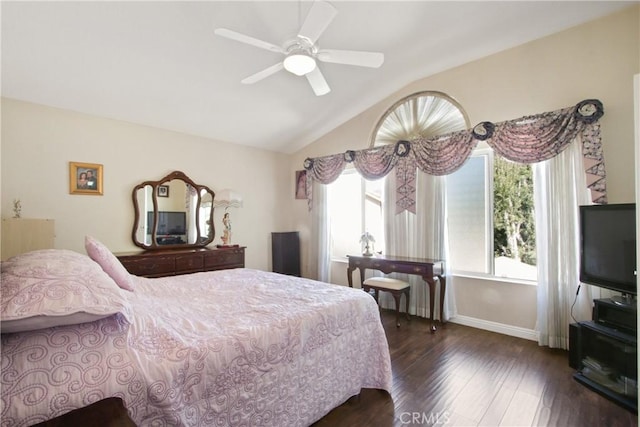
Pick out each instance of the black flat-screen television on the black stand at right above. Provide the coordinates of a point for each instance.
(608, 247)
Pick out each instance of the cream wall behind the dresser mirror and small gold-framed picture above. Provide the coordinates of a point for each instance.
(38, 142)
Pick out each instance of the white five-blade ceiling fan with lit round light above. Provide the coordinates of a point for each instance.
(302, 52)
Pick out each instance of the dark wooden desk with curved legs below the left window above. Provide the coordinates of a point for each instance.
(423, 267)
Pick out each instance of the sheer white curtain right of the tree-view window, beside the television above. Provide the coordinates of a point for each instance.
(559, 188)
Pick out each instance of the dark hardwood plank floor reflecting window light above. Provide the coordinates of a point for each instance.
(462, 376)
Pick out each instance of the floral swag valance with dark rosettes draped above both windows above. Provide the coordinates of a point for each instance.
(529, 139)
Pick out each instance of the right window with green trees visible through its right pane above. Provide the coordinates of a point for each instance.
(475, 234)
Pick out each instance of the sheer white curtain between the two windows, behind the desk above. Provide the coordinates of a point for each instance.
(422, 235)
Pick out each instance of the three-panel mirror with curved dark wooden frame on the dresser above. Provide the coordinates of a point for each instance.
(173, 212)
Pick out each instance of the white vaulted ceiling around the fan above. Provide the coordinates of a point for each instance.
(160, 63)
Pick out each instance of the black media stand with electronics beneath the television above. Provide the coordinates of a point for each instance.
(606, 357)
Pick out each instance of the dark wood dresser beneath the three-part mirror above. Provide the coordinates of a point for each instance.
(170, 262)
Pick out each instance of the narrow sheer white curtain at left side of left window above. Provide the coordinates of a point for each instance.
(320, 254)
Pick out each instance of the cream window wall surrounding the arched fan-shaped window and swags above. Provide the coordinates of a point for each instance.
(594, 60)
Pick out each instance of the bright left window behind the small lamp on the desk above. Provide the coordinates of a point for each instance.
(355, 206)
